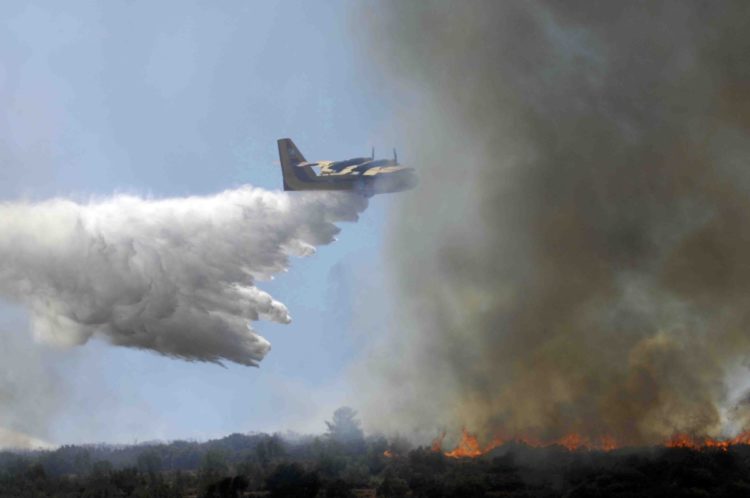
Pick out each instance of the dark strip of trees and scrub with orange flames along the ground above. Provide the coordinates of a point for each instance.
(327, 466)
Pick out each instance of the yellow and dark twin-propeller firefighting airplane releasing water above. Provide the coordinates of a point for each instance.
(365, 175)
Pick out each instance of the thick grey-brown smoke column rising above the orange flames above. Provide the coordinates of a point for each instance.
(577, 257)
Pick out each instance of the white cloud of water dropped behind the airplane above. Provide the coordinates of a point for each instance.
(175, 276)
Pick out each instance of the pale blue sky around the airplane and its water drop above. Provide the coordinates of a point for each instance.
(177, 98)
